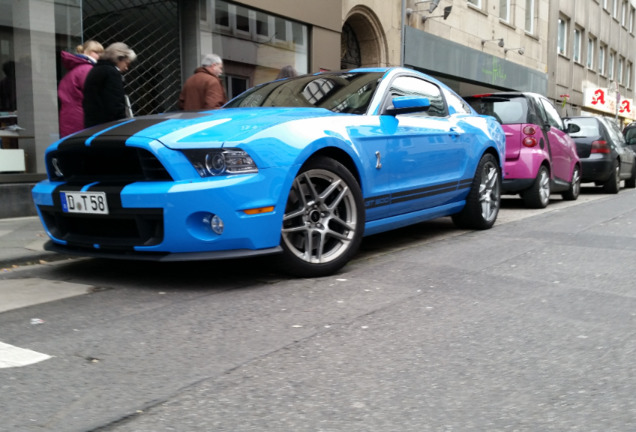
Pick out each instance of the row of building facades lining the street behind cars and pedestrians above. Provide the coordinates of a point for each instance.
(580, 53)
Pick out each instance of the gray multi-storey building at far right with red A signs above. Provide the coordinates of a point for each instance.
(593, 47)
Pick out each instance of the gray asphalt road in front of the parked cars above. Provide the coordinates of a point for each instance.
(528, 326)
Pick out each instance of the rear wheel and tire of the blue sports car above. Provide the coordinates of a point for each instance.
(484, 199)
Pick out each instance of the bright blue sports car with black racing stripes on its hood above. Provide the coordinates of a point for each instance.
(302, 167)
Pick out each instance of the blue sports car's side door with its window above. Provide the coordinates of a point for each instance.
(422, 155)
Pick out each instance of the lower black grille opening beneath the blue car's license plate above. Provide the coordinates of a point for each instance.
(121, 230)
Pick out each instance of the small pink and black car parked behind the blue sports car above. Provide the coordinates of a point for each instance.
(541, 157)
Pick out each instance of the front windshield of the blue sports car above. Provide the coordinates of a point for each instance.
(343, 92)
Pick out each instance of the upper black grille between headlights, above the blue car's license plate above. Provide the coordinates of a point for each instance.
(79, 164)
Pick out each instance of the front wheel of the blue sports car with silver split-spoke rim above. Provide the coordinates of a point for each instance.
(324, 219)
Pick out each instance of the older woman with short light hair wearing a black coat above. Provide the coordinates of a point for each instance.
(104, 96)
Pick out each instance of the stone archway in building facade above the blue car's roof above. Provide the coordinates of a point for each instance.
(363, 42)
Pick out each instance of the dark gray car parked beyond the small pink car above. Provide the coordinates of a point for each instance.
(605, 156)
